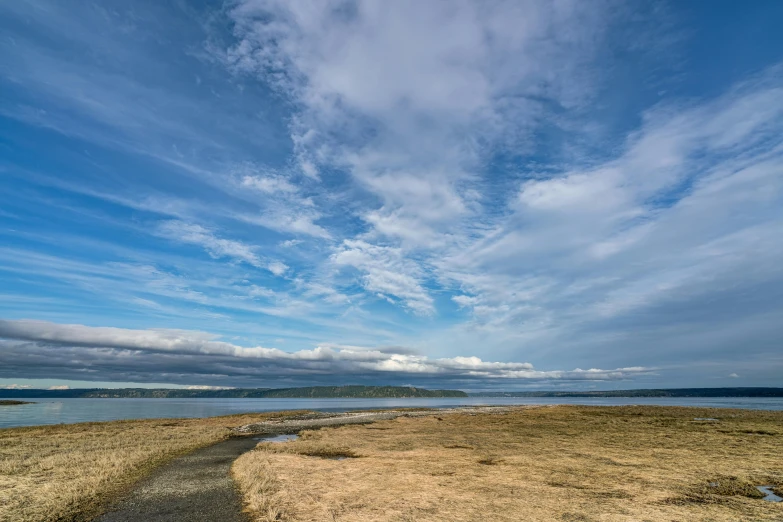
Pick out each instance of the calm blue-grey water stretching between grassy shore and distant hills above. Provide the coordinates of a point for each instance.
(56, 411)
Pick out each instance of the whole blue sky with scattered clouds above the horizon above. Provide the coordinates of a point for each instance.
(449, 194)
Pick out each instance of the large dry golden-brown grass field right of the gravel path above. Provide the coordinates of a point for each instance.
(562, 463)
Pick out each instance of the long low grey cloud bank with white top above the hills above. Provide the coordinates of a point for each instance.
(34, 348)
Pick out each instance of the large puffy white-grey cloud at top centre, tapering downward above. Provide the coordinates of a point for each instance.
(408, 95)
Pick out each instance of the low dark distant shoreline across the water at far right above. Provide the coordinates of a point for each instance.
(673, 392)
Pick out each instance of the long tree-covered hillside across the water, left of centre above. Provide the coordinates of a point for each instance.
(314, 392)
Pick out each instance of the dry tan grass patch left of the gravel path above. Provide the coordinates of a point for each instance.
(67, 472)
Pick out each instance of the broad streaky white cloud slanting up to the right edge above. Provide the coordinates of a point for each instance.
(670, 213)
